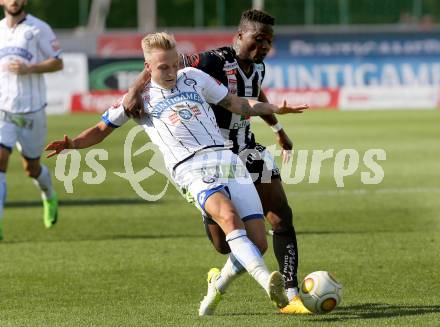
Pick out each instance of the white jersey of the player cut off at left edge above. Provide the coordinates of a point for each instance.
(30, 41)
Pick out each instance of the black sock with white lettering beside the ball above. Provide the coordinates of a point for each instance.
(286, 252)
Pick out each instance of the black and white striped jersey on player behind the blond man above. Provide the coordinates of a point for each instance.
(222, 64)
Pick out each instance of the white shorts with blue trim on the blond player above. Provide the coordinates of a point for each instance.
(211, 171)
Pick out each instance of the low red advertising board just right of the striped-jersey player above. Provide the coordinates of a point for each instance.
(320, 98)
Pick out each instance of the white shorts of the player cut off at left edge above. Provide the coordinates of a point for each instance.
(27, 131)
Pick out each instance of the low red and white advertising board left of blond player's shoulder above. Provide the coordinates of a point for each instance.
(95, 101)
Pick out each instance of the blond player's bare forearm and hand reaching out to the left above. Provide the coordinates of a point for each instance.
(85, 139)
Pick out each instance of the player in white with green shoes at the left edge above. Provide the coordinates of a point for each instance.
(28, 48)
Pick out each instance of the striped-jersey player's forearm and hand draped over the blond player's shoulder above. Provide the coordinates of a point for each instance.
(132, 102)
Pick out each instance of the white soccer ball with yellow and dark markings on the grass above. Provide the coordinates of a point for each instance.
(320, 292)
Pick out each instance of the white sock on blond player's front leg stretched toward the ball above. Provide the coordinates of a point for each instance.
(249, 256)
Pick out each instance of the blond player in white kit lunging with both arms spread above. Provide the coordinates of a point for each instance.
(180, 121)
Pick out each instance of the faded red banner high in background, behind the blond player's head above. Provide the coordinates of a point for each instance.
(129, 45)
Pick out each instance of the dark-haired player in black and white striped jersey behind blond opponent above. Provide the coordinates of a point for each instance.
(241, 69)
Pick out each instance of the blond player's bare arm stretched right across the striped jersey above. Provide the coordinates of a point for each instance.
(245, 107)
